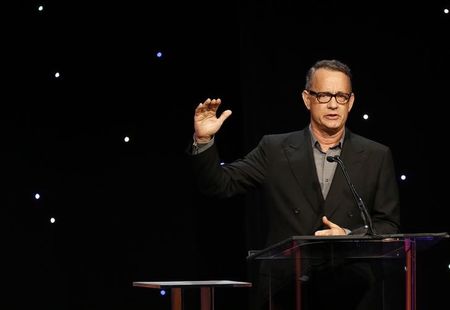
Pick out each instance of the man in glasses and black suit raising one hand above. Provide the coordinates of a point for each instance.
(304, 193)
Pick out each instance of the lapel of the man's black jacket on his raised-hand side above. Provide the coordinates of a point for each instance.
(299, 154)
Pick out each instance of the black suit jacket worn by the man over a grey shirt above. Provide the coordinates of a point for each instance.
(282, 167)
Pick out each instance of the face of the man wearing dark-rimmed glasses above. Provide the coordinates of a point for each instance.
(331, 116)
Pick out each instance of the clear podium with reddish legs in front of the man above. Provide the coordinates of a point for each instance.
(301, 249)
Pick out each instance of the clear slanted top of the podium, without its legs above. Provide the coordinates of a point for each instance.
(351, 246)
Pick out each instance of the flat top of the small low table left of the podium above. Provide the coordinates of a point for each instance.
(209, 283)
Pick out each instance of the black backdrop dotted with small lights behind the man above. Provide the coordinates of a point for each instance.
(128, 211)
